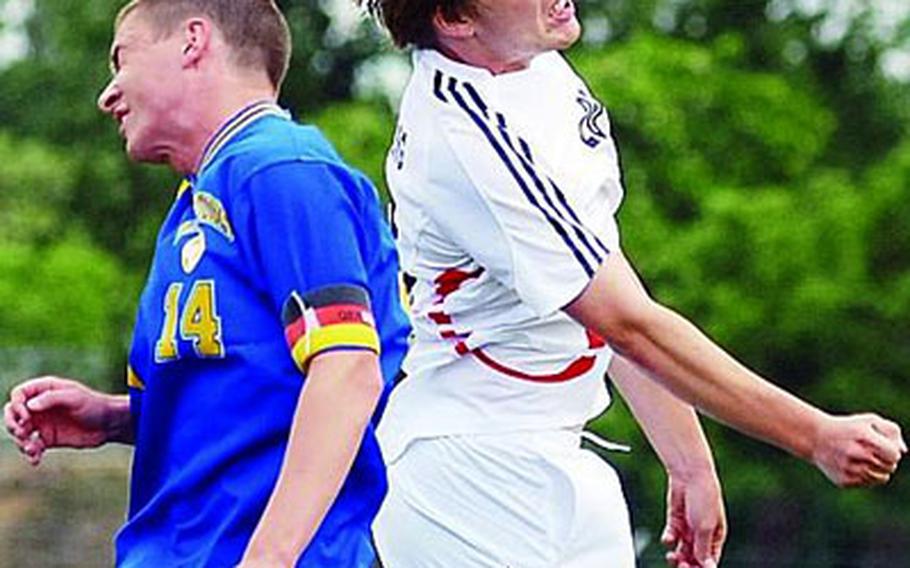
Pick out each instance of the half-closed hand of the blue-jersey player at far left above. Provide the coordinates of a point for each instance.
(51, 412)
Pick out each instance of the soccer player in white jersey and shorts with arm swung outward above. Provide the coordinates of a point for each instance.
(506, 183)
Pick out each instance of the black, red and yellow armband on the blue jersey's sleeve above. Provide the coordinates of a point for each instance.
(330, 318)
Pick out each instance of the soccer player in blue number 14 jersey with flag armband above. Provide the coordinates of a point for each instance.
(269, 328)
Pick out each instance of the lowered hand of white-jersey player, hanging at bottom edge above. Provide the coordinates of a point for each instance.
(696, 523)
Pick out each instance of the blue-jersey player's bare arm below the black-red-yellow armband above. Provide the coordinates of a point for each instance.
(335, 406)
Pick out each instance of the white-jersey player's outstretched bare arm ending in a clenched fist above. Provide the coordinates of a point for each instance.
(854, 450)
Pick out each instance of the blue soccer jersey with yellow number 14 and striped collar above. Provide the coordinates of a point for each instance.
(273, 225)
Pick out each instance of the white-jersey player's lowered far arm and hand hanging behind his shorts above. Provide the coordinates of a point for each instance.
(696, 523)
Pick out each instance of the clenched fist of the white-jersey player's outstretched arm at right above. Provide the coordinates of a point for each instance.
(858, 450)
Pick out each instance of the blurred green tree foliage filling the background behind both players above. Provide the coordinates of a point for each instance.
(767, 165)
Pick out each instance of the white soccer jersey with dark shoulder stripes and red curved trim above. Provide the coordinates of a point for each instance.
(505, 190)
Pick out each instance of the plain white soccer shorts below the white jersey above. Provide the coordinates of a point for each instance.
(520, 500)
